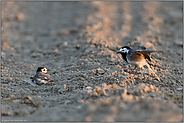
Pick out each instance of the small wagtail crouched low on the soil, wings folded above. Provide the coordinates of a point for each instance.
(41, 77)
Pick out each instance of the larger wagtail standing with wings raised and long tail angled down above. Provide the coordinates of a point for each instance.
(138, 58)
